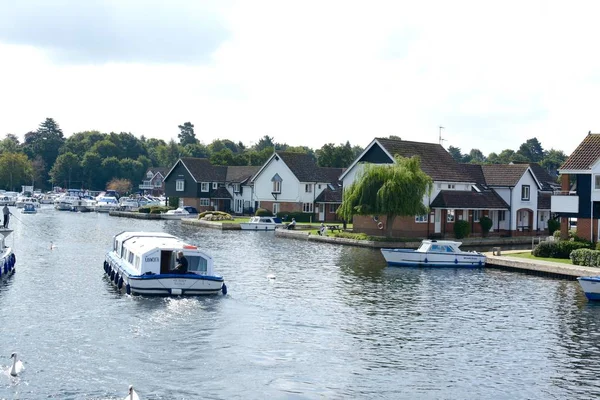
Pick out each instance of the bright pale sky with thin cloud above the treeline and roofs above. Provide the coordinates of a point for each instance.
(492, 74)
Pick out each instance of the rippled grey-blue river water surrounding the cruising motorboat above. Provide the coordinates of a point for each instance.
(334, 323)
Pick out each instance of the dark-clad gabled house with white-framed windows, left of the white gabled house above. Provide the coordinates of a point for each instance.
(198, 183)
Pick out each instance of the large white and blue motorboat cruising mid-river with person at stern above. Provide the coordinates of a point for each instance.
(142, 263)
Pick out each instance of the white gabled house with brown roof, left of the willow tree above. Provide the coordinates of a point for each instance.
(292, 182)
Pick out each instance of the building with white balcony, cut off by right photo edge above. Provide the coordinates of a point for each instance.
(579, 196)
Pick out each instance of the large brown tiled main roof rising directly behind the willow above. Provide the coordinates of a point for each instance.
(435, 160)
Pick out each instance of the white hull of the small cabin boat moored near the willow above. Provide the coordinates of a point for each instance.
(412, 258)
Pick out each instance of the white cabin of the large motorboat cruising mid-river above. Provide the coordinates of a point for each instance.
(149, 253)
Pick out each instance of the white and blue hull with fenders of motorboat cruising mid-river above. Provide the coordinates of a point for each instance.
(162, 284)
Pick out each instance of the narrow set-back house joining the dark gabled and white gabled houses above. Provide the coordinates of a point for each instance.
(238, 183)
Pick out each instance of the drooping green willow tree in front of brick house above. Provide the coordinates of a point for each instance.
(389, 190)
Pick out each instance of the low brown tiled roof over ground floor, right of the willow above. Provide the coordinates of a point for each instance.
(470, 200)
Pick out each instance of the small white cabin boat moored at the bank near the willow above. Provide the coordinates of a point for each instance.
(434, 253)
